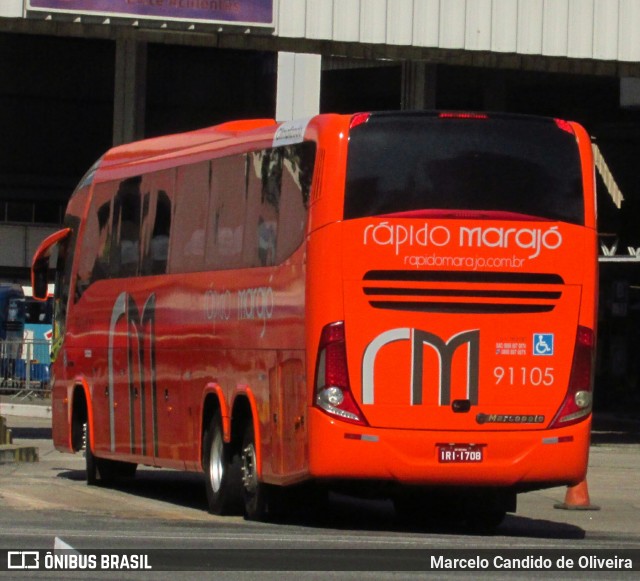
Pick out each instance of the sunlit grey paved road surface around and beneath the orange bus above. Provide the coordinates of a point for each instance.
(165, 510)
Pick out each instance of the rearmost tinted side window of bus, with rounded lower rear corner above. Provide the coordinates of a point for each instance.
(258, 212)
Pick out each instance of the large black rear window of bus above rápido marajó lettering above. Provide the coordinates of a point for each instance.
(403, 163)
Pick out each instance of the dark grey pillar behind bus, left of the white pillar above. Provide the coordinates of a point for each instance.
(130, 91)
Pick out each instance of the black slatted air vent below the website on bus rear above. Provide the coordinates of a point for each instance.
(462, 292)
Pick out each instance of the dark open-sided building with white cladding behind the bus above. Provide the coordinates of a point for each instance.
(77, 76)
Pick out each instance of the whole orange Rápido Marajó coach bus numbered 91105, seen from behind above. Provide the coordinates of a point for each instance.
(399, 303)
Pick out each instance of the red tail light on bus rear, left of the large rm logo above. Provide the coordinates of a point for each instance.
(332, 388)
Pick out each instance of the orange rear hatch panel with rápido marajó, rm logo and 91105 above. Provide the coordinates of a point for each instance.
(421, 337)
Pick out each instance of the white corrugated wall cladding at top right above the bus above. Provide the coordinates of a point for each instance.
(587, 29)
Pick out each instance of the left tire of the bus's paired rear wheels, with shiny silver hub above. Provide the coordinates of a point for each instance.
(222, 469)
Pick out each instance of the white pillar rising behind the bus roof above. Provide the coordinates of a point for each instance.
(298, 92)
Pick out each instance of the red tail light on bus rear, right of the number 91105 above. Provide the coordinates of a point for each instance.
(577, 403)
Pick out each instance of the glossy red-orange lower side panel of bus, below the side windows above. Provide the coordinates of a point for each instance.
(241, 334)
